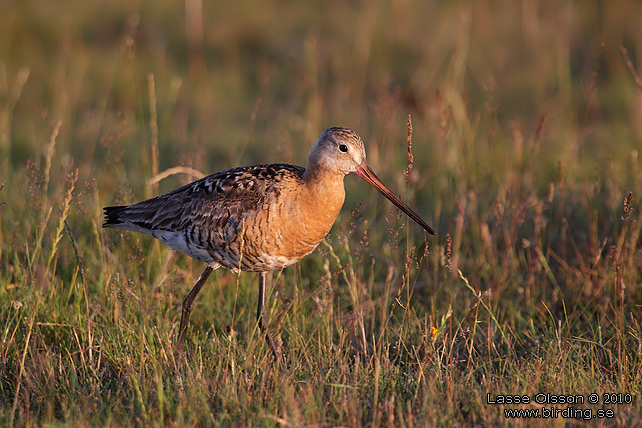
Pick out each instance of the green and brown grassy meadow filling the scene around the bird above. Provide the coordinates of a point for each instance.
(525, 157)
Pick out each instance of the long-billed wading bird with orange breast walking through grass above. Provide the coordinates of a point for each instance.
(256, 218)
